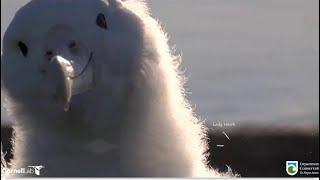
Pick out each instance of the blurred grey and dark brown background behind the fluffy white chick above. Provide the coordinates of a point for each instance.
(253, 70)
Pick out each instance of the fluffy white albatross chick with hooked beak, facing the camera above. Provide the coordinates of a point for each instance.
(124, 113)
